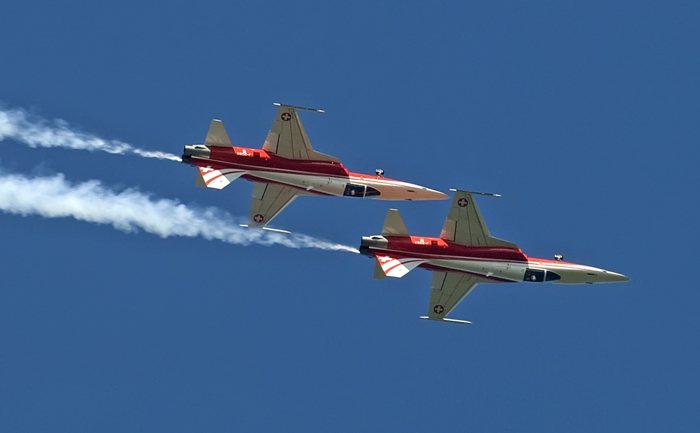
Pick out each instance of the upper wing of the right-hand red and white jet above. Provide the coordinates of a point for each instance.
(465, 225)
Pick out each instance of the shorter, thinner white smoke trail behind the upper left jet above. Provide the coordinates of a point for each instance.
(16, 124)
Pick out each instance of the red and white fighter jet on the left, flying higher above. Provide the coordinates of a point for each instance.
(286, 167)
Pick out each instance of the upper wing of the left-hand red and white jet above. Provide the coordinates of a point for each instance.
(288, 139)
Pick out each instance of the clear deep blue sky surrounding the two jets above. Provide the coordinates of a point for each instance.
(584, 115)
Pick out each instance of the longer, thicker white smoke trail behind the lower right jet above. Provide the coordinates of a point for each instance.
(131, 210)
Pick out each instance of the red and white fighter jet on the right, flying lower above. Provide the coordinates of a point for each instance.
(465, 255)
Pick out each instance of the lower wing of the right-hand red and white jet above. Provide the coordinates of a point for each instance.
(447, 290)
